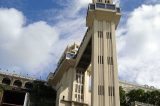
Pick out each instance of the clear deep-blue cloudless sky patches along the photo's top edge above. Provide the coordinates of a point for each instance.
(37, 11)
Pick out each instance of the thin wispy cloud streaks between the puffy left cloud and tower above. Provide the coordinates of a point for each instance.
(69, 22)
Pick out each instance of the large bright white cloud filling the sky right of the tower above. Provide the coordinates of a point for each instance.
(138, 46)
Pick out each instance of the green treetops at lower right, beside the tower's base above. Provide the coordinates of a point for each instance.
(151, 97)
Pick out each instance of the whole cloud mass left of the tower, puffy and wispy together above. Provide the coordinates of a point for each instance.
(31, 48)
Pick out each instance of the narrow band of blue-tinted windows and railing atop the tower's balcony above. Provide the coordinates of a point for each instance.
(103, 6)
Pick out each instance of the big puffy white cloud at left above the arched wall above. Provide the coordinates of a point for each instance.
(26, 47)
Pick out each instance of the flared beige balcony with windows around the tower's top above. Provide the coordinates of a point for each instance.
(102, 11)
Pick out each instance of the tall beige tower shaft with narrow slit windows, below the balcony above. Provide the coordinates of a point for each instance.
(105, 86)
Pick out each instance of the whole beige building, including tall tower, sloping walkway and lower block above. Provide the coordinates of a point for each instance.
(95, 57)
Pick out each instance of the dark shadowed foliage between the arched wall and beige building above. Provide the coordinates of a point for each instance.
(42, 94)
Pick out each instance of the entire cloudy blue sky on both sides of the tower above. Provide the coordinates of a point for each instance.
(34, 33)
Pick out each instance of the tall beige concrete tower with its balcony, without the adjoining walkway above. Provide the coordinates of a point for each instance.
(102, 19)
